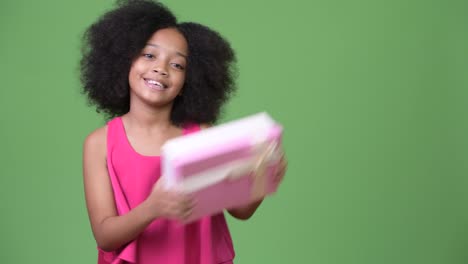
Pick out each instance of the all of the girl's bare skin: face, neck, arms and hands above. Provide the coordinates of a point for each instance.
(156, 77)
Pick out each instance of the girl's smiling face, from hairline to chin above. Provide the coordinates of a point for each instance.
(157, 75)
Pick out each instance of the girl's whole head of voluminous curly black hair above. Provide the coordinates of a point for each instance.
(112, 43)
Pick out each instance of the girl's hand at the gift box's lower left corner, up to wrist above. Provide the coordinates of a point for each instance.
(170, 204)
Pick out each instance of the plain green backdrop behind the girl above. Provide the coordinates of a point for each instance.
(373, 96)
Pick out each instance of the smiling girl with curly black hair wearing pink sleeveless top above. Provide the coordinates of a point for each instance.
(155, 80)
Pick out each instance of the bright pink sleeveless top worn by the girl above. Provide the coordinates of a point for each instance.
(206, 241)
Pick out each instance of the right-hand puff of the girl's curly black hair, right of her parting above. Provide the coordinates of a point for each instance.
(210, 76)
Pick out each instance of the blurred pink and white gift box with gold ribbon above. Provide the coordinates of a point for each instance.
(225, 166)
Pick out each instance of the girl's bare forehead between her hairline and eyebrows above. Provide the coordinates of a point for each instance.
(169, 39)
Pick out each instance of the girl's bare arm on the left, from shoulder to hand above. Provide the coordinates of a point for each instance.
(110, 230)
